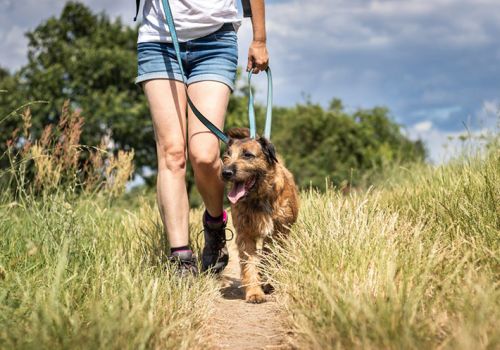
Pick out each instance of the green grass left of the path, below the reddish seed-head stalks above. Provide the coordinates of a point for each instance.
(80, 274)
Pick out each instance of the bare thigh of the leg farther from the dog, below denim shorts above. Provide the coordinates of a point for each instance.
(167, 103)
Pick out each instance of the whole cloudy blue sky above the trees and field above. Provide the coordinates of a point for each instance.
(434, 63)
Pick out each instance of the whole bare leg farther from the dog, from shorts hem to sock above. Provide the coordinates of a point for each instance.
(167, 102)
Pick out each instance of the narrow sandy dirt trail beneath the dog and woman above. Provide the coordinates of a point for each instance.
(240, 325)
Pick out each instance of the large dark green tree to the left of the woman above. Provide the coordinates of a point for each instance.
(91, 61)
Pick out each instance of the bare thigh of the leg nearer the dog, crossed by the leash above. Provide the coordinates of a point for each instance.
(211, 98)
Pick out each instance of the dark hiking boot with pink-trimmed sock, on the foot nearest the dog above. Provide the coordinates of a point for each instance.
(215, 256)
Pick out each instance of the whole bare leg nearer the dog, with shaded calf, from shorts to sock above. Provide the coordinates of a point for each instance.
(211, 98)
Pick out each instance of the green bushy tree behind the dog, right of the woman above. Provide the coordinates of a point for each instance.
(320, 143)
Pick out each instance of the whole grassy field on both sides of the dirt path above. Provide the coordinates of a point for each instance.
(410, 263)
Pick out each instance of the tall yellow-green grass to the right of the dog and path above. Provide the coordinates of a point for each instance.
(411, 265)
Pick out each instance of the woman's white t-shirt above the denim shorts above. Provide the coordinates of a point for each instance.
(193, 19)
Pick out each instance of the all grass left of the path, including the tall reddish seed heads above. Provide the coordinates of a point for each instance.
(81, 271)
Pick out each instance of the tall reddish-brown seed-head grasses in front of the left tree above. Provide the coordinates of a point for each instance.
(57, 161)
